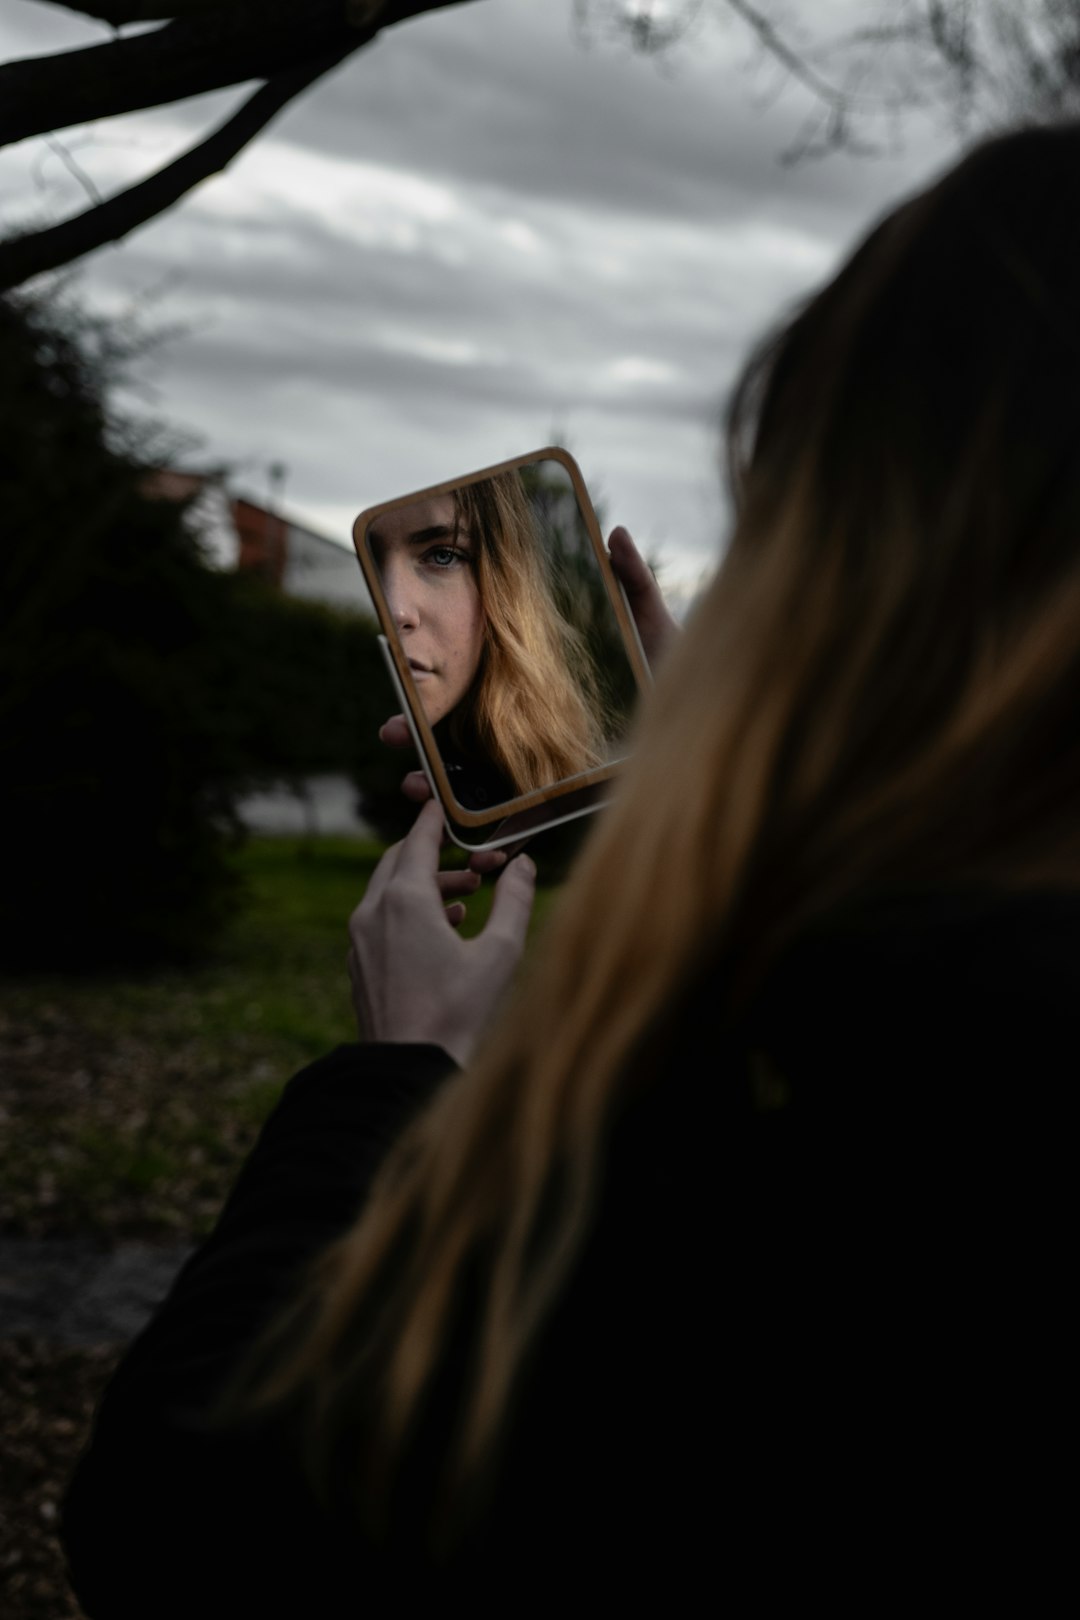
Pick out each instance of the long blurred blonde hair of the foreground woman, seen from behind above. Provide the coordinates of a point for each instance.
(882, 688)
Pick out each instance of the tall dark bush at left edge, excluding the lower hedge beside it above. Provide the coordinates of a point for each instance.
(114, 757)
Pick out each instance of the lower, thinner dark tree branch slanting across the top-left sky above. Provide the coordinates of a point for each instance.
(45, 250)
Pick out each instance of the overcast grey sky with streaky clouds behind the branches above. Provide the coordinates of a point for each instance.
(477, 236)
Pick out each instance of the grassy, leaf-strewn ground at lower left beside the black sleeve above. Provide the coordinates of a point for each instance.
(127, 1107)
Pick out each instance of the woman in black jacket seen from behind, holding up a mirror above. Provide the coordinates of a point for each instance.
(736, 1256)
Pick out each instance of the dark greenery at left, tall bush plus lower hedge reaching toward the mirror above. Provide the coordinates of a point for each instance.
(140, 691)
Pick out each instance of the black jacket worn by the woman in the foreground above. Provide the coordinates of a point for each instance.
(819, 1342)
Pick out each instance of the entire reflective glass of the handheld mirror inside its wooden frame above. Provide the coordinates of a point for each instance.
(501, 610)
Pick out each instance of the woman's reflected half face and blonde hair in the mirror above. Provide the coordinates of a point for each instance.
(504, 676)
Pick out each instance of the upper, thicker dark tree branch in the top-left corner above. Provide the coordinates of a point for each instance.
(229, 45)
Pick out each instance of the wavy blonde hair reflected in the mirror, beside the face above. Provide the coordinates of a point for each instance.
(535, 709)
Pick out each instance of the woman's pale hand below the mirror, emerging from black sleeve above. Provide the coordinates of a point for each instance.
(414, 978)
